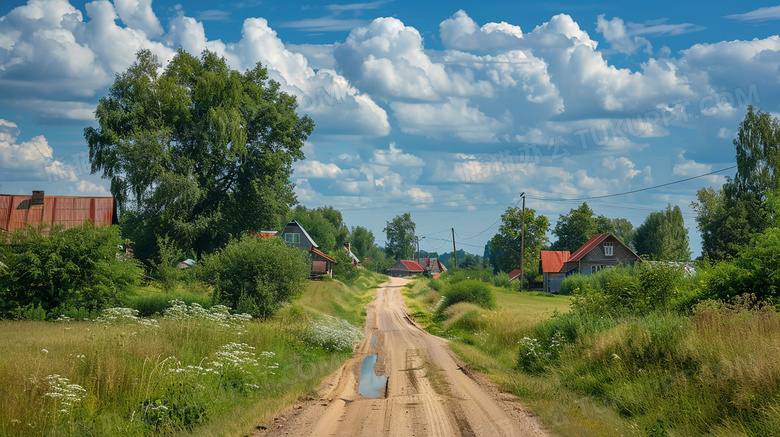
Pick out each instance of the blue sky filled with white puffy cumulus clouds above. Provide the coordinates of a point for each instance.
(448, 110)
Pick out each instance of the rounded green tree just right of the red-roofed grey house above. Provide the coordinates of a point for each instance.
(663, 236)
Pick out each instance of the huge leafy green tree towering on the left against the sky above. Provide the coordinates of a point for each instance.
(196, 151)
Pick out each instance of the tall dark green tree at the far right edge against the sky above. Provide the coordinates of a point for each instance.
(746, 205)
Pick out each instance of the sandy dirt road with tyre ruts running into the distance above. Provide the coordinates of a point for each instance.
(427, 392)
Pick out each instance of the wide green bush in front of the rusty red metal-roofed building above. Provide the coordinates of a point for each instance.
(78, 267)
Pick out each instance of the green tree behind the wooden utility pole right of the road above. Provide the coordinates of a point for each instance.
(505, 245)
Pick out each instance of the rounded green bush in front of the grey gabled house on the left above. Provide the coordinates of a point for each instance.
(256, 275)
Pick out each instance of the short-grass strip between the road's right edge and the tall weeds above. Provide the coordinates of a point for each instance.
(488, 341)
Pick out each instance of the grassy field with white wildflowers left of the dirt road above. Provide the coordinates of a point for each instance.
(203, 372)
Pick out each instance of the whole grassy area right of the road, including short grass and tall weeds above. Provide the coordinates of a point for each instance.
(715, 372)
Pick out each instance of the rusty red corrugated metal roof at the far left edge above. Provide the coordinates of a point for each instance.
(69, 211)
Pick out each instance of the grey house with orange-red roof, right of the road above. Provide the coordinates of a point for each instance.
(600, 252)
